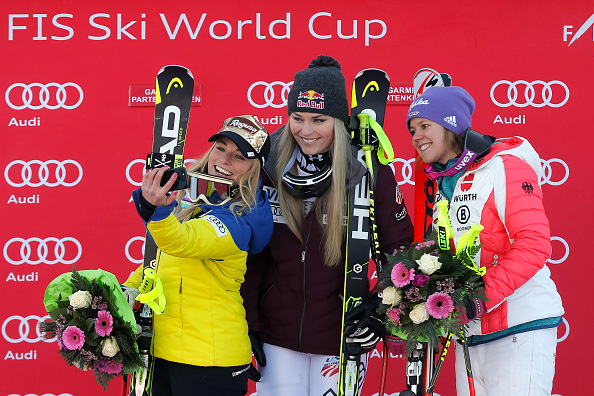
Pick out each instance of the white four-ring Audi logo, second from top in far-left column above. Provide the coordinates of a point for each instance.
(26, 178)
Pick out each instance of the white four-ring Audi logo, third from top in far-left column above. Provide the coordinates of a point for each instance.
(25, 247)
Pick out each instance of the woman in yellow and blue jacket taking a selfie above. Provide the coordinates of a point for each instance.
(200, 342)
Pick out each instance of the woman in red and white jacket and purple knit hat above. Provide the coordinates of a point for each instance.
(495, 183)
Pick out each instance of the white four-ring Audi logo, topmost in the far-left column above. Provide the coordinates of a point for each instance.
(50, 96)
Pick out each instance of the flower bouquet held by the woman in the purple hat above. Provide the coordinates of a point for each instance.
(423, 291)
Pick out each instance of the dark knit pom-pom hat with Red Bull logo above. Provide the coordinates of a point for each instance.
(320, 89)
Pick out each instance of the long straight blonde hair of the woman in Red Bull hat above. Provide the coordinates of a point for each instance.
(332, 203)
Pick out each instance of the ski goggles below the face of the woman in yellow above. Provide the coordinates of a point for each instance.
(209, 189)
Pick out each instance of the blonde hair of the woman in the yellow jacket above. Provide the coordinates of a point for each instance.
(248, 185)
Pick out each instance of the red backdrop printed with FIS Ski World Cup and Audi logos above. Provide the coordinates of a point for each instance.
(74, 139)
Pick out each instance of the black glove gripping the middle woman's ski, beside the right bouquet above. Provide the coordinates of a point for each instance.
(368, 327)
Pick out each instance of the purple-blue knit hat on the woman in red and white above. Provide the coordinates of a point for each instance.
(450, 107)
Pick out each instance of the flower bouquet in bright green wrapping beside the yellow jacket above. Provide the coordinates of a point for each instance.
(93, 324)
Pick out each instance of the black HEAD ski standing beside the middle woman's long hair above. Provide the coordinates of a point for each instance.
(368, 104)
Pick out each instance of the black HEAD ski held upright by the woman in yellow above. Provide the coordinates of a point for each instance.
(174, 91)
